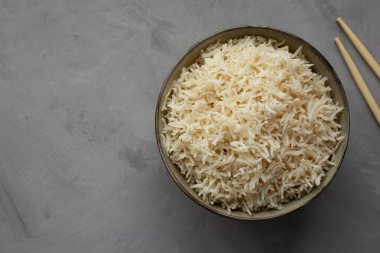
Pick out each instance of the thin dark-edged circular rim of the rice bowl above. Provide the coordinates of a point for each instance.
(161, 96)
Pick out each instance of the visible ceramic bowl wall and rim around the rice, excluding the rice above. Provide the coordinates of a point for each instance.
(321, 66)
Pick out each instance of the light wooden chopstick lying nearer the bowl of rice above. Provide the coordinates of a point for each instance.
(359, 80)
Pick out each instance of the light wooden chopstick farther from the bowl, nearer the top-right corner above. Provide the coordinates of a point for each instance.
(360, 47)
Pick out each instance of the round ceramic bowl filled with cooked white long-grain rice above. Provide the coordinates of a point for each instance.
(252, 123)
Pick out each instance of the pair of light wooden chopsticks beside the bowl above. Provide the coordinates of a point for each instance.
(354, 70)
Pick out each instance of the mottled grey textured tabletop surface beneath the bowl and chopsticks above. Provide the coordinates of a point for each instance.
(79, 167)
